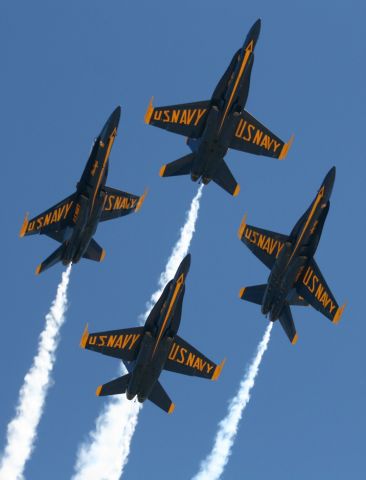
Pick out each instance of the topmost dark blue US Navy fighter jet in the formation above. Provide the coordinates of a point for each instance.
(214, 126)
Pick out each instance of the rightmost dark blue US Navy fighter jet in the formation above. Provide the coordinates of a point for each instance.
(295, 278)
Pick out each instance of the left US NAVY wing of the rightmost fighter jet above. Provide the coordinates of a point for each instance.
(265, 245)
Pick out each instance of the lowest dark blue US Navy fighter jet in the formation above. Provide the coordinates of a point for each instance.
(147, 350)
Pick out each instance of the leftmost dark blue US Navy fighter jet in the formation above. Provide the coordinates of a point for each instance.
(74, 220)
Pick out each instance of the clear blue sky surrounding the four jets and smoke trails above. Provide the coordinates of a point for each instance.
(65, 67)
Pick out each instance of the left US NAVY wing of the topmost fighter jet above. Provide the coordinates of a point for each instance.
(186, 119)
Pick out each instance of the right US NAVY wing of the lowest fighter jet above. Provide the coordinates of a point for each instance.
(185, 359)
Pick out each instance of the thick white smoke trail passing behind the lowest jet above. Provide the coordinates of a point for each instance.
(105, 452)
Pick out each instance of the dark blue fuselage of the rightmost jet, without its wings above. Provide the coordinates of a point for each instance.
(297, 252)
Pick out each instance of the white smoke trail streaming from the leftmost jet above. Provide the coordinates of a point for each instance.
(22, 429)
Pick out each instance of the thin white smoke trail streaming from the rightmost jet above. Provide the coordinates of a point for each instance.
(213, 465)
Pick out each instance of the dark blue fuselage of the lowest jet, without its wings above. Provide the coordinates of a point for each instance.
(161, 327)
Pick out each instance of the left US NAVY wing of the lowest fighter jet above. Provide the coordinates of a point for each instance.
(123, 344)
